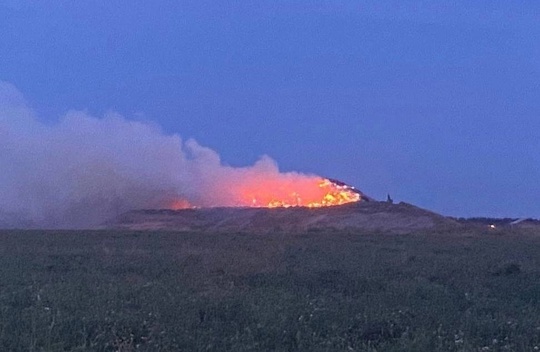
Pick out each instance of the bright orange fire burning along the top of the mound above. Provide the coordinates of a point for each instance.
(310, 192)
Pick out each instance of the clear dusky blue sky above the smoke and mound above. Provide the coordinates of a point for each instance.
(434, 102)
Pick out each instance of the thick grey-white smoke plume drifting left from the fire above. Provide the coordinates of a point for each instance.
(83, 170)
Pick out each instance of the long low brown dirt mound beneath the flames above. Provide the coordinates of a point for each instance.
(371, 216)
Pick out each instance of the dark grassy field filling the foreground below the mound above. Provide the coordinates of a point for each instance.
(326, 291)
